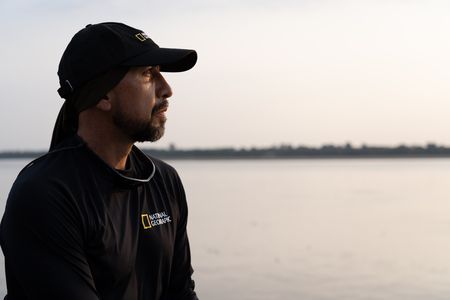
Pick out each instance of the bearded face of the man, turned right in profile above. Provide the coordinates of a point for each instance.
(139, 103)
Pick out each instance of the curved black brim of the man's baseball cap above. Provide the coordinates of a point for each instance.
(169, 59)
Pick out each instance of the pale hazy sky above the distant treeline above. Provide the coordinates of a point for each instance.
(268, 73)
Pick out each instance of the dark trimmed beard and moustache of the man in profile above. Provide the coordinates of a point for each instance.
(149, 130)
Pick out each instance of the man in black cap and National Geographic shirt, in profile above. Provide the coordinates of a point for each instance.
(95, 218)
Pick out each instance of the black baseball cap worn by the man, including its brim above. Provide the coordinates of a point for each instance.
(99, 48)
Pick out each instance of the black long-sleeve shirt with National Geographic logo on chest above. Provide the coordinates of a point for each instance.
(74, 228)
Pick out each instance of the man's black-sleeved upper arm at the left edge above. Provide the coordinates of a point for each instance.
(42, 240)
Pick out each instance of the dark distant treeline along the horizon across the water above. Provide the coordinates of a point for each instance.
(283, 151)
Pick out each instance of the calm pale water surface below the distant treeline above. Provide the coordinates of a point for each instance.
(315, 229)
